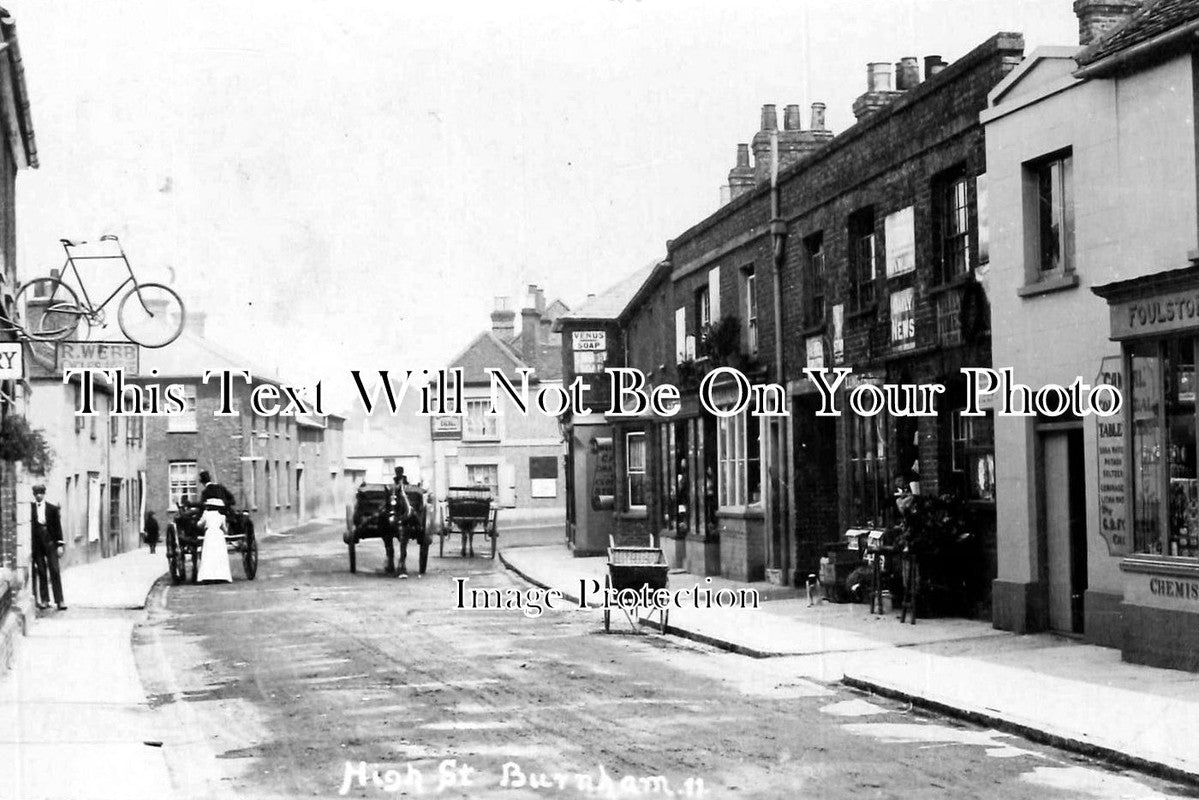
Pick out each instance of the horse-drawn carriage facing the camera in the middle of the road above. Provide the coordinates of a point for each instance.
(376, 514)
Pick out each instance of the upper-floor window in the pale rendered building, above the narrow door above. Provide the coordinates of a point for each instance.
(1052, 227)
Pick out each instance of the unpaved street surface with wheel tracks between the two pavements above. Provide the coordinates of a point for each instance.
(314, 682)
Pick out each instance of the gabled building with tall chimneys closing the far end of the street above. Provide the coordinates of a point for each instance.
(519, 456)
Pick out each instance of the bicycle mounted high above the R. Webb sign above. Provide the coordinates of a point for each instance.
(150, 315)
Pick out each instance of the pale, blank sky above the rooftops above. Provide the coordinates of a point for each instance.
(352, 185)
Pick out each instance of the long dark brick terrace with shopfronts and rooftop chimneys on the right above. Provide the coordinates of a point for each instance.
(878, 245)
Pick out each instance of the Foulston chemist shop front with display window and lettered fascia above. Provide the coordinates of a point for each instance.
(1155, 522)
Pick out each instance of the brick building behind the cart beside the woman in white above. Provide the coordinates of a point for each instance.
(285, 470)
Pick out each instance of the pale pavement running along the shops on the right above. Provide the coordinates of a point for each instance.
(1047, 688)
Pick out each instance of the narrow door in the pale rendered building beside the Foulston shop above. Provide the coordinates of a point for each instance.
(1064, 484)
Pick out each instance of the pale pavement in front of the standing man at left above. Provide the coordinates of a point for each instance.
(75, 720)
